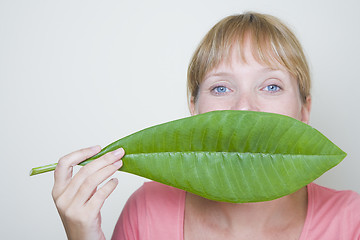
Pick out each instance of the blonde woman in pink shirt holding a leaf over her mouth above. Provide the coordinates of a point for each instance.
(246, 62)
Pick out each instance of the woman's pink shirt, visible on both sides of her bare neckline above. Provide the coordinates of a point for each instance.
(156, 211)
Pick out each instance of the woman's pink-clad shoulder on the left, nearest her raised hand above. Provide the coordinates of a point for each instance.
(153, 204)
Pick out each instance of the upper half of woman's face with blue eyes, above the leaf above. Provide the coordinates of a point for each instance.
(235, 85)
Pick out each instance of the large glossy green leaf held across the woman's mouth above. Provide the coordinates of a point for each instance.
(231, 156)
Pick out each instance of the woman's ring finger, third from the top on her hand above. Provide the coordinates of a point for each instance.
(90, 184)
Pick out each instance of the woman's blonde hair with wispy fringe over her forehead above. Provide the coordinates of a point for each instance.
(272, 43)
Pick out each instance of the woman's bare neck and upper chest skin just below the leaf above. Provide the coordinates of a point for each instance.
(281, 213)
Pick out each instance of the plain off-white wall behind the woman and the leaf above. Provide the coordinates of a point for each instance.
(79, 73)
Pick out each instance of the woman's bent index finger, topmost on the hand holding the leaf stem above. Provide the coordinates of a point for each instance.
(63, 171)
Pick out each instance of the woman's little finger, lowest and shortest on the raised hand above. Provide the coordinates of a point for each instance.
(97, 201)
